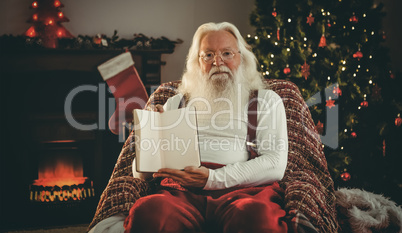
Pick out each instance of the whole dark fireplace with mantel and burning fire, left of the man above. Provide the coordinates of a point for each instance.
(53, 172)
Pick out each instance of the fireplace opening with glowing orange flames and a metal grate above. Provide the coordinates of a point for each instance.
(61, 174)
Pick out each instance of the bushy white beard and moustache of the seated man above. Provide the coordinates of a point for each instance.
(217, 92)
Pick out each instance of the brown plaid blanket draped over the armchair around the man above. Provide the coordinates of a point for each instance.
(309, 191)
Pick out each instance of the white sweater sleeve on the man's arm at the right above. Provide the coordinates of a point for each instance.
(272, 147)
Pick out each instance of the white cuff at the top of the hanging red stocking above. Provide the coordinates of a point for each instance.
(115, 65)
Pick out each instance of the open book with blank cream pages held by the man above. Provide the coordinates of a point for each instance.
(166, 140)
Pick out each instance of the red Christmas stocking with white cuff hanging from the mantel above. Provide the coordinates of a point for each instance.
(127, 88)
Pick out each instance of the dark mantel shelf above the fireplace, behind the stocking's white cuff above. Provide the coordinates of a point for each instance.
(147, 62)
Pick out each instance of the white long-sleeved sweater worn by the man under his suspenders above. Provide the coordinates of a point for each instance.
(222, 141)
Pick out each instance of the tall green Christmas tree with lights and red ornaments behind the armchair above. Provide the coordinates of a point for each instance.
(333, 50)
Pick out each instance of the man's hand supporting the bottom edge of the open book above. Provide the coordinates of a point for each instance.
(192, 177)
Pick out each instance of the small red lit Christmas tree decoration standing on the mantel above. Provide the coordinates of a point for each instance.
(46, 21)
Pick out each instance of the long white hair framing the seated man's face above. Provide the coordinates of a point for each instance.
(252, 78)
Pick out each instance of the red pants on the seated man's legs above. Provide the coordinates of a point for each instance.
(245, 210)
